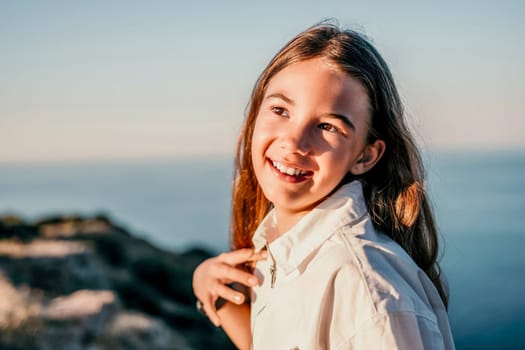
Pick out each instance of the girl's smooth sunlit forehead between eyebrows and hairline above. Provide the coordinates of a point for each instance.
(318, 82)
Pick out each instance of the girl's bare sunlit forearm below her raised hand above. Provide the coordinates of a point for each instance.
(235, 321)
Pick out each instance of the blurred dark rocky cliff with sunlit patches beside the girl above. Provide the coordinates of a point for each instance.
(85, 283)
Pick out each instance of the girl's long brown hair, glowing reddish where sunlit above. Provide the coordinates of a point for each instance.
(394, 188)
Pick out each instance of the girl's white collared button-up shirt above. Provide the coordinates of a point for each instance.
(340, 284)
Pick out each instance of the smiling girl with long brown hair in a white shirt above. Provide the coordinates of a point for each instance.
(331, 225)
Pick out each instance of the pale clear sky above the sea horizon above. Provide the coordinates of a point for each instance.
(89, 80)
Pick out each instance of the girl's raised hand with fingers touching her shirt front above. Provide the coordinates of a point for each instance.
(212, 275)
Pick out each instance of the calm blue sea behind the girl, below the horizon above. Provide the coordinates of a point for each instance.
(177, 204)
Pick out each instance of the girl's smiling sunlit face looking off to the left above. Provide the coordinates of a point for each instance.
(311, 130)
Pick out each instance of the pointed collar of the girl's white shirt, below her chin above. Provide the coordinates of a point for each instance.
(344, 206)
